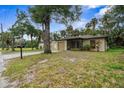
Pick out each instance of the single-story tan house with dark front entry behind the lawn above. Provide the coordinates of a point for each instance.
(94, 43)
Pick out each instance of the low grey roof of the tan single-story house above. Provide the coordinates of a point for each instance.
(84, 37)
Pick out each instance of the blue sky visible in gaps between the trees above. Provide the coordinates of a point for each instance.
(8, 16)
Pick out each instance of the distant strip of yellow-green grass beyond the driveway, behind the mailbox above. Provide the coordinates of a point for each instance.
(17, 50)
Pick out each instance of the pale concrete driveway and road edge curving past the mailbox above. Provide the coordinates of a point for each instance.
(3, 60)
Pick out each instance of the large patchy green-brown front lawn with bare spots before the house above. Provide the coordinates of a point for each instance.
(69, 69)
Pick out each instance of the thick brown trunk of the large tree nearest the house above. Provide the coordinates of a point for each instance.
(47, 36)
